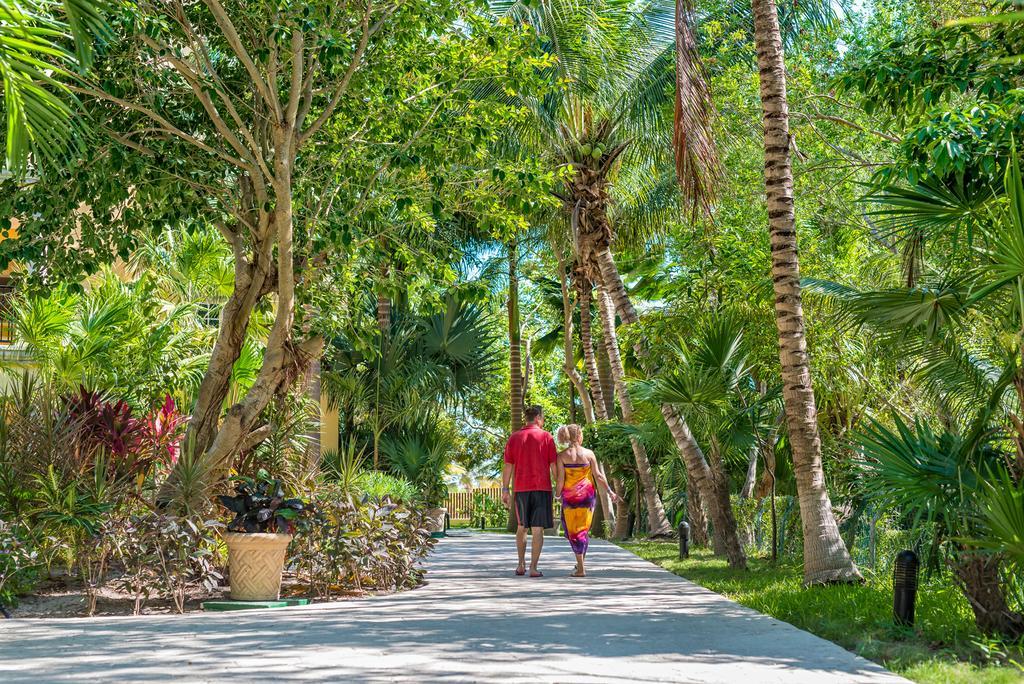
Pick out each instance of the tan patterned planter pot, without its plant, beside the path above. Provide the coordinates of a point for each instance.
(257, 562)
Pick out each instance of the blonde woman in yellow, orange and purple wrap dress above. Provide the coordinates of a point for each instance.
(578, 469)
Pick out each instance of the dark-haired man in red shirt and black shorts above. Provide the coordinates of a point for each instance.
(530, 455)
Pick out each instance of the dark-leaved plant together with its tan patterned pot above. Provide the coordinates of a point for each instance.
(259, 537)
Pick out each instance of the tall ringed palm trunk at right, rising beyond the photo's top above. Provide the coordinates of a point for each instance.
(826, 557)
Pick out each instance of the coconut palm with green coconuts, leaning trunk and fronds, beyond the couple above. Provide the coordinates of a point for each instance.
(615, 67)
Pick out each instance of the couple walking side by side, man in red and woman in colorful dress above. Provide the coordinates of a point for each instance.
(533, 463)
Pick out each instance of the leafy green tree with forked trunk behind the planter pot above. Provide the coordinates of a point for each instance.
(236, 111)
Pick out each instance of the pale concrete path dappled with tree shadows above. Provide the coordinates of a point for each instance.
(474, 622)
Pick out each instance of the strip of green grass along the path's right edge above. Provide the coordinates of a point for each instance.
(943, 648)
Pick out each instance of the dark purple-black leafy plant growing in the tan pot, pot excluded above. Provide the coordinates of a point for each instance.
(260, 506)
